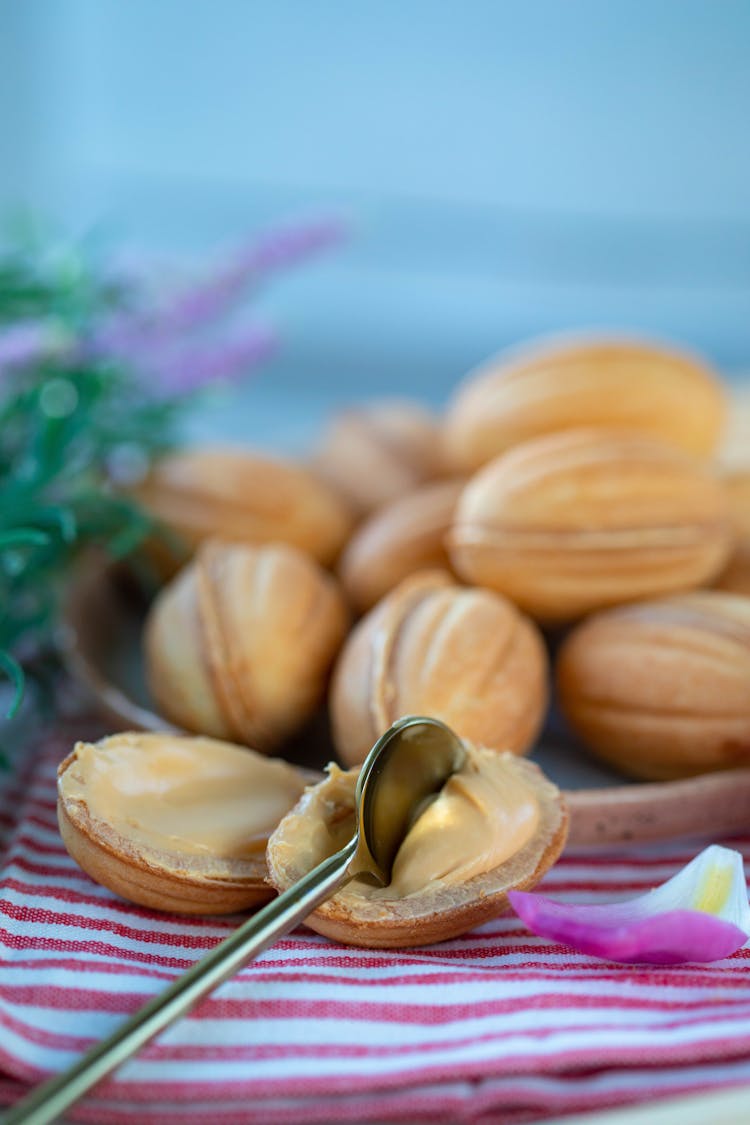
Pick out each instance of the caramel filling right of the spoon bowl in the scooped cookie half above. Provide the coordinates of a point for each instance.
(480, 820)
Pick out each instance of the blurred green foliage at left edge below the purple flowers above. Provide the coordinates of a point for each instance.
(68, 431)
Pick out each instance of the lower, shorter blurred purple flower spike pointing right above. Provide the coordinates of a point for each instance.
(192, 367)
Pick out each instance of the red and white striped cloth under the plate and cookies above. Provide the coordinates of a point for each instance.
(499, 1027)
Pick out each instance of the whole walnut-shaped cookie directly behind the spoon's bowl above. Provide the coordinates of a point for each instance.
(433, 647)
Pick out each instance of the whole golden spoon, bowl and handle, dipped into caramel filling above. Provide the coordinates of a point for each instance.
(409, 764)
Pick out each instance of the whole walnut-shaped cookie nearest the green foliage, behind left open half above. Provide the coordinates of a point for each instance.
(241, 643)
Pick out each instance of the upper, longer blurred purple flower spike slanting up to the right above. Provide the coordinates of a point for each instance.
(135, 332)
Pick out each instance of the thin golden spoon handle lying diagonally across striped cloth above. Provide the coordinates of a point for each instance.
(279, 917)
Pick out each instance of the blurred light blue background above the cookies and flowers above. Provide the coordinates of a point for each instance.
(509, 168)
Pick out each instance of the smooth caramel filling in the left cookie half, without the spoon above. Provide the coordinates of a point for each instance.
(183, 796)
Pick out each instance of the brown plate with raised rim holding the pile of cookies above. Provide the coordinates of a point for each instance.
(102, 644)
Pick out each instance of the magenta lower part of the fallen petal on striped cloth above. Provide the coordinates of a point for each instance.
(664, 939)
